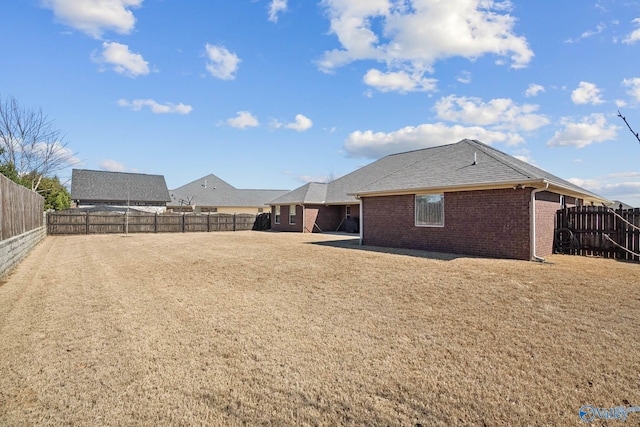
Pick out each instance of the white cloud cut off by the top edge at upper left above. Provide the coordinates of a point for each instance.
(94, 17)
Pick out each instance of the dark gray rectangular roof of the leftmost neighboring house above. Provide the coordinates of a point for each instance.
(102, 186)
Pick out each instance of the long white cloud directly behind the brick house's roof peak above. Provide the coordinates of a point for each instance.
(371, 144)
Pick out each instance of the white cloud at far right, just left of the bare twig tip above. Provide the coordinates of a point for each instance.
(587, 131)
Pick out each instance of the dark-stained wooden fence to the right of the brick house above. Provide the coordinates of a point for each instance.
(600, 231)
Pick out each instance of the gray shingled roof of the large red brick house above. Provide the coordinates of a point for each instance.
(436, 167)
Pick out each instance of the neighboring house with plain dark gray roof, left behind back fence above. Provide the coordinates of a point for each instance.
(117, 191)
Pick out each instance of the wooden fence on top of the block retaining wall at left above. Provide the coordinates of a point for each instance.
(21, 209)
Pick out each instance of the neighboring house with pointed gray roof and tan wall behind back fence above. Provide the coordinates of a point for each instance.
(211, 194)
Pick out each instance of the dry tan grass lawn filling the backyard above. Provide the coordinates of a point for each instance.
(288, 329)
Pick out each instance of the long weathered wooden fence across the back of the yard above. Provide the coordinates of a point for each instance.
(69, 222)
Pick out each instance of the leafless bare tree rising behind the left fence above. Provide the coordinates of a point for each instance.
(30, 143)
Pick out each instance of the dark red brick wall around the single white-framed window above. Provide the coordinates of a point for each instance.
(493, 223)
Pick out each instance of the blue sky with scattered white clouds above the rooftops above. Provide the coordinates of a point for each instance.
(276, 93)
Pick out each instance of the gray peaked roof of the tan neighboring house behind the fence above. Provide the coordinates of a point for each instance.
(215, 192)
